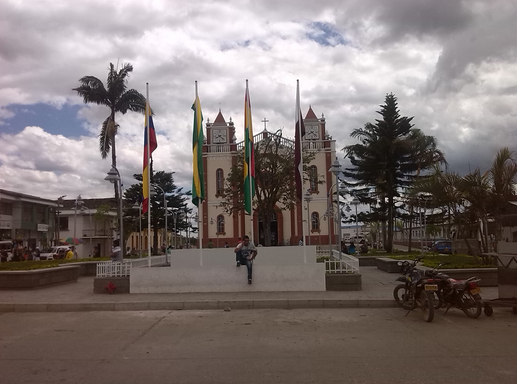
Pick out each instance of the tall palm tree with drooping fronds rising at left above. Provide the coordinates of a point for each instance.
(117, 98)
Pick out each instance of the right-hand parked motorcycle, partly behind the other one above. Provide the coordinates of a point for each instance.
(463, 294)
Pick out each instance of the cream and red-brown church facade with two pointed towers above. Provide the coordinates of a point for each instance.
(220, 151)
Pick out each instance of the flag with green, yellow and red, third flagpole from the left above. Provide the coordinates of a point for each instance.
(249, 155)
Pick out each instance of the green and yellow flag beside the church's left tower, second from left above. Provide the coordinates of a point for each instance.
(198, 187)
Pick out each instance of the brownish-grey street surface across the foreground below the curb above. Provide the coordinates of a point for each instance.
(374, 346)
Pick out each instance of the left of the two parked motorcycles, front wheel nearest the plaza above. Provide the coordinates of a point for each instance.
(416, 290)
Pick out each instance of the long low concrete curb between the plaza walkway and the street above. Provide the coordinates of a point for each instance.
(197, 305)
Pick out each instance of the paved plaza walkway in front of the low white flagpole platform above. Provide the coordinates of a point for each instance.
(376, 293)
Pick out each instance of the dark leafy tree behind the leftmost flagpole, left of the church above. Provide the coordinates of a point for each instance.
(175, 202)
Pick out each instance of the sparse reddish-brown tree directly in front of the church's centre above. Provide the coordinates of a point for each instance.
(274, 183)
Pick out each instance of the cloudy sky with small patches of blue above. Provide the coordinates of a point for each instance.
(449, 62)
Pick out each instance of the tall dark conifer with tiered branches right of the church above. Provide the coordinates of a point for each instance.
(390, 154)
